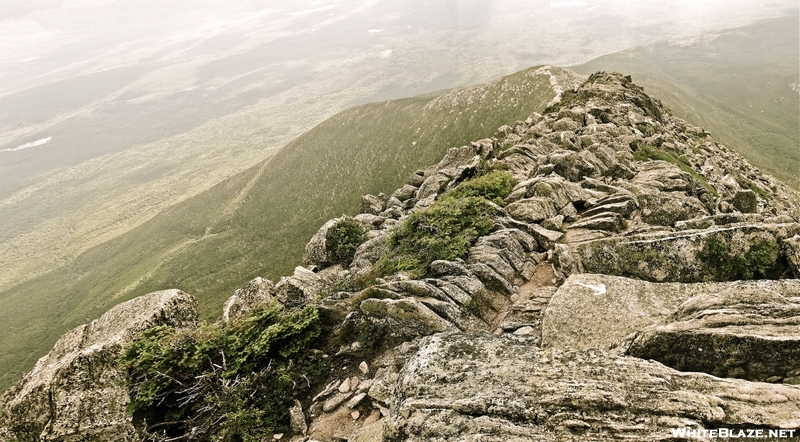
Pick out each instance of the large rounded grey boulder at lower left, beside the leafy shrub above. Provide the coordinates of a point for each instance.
(77, 392)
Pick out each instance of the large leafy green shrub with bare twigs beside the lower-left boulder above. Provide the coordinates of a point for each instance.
(227, 382)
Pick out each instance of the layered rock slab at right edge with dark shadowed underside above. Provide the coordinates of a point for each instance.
(750, 330)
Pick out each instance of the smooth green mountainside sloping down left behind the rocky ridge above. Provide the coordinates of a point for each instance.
(258, 222)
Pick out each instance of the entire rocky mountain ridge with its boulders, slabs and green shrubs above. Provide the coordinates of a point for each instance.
(600, 271)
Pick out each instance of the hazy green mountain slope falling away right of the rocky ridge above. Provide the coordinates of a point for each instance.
(743, 86)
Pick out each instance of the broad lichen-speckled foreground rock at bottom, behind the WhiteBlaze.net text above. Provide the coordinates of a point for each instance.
(465, 387)
